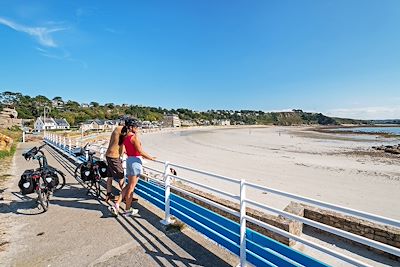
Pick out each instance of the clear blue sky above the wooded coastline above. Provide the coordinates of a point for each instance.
(339, 57)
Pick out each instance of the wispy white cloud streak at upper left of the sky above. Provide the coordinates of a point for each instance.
(42, 34)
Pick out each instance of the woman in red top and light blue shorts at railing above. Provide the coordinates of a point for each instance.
(133, 148)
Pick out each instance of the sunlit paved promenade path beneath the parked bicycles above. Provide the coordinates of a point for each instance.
(78, 230)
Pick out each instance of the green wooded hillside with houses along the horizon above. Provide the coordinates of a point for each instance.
(32, 107)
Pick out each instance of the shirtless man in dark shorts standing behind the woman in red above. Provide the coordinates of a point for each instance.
(113, 156)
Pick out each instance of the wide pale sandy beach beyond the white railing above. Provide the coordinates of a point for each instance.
(338, 169)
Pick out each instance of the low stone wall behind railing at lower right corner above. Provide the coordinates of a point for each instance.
(381, 233)
